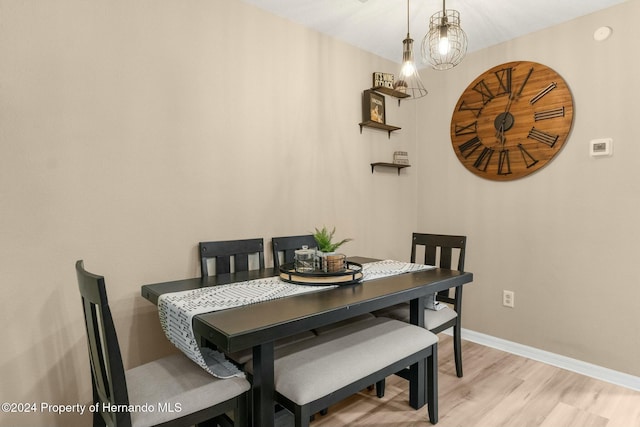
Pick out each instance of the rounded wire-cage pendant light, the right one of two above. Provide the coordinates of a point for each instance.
(445, 44)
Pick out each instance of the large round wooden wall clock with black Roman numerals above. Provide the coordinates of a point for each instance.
(512, 120)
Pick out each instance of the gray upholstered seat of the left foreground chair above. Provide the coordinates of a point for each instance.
(175, 380)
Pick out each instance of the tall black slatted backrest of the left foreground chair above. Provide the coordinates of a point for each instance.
(107, 371)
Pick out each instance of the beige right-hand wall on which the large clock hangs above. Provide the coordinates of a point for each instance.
(565, 238)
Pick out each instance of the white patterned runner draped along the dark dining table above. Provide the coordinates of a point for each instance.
(176, 309)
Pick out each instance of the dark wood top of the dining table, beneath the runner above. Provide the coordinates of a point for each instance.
(242, 327)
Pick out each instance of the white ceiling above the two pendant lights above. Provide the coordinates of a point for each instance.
(379, 26)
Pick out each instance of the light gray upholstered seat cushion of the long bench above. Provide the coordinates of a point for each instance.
(306, 371)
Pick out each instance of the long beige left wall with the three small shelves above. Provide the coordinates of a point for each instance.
(132, 130)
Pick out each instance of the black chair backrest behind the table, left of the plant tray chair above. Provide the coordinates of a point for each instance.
(231, 255)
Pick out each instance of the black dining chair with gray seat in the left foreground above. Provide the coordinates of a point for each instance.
(181, 392)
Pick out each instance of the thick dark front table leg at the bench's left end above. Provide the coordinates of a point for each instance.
(263, 385)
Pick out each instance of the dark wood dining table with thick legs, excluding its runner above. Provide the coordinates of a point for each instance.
(258, 326)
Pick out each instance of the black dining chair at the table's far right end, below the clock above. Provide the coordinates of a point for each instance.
(439, 250)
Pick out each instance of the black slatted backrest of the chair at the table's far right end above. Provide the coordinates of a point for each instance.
(440, 250)
